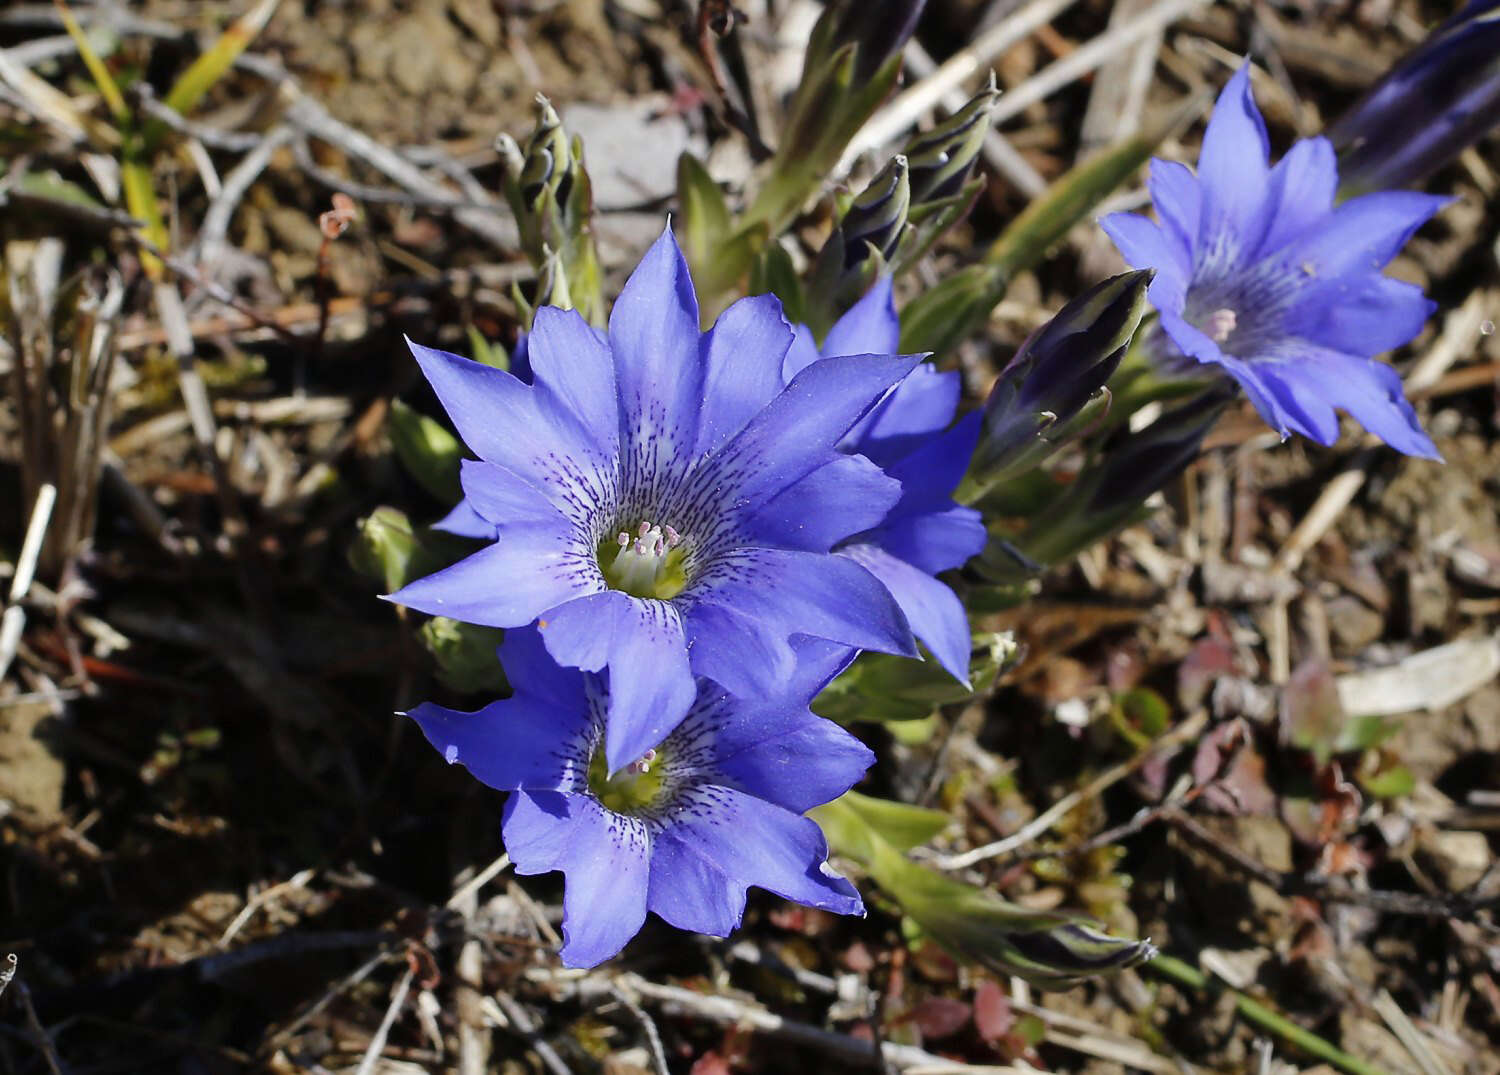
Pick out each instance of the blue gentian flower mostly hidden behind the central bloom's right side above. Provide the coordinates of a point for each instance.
(908, 436)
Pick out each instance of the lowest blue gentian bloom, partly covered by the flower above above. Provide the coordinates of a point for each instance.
(713, 809)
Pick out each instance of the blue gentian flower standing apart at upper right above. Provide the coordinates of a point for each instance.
(1261, 275)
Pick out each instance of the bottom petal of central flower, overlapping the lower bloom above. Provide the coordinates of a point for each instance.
(641, 644)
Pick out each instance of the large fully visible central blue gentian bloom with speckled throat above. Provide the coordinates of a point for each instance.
(662, 505)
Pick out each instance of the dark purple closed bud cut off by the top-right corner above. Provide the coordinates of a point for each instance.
(1444, 97)
